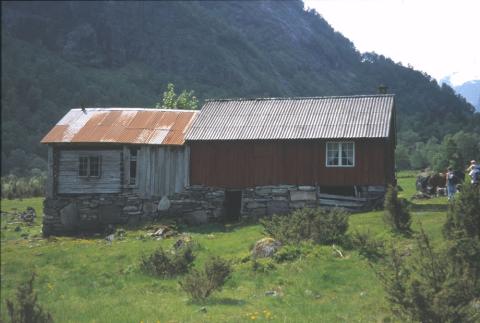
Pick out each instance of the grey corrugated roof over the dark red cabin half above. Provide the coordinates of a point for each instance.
(366, 116)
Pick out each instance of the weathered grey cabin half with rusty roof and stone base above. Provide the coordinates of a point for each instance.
(102, 162)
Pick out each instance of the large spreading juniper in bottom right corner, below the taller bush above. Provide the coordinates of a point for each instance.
(431, 286)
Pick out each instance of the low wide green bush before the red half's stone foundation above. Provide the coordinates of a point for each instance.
(318, 225)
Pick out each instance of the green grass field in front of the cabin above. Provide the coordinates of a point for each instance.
(91, 280)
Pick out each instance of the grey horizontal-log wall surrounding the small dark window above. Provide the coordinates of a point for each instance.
(109, 181)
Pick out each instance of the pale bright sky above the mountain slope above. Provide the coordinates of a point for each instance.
(439, 37)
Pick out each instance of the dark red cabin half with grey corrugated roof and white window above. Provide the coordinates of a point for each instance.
(337, 146)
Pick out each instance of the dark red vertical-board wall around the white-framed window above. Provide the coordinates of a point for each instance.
(246, 164)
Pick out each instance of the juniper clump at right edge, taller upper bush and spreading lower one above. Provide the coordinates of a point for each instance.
(440, 285)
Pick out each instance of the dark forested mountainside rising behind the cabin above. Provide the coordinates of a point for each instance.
(62, 55)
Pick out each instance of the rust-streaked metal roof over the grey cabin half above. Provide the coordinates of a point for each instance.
(122, 125)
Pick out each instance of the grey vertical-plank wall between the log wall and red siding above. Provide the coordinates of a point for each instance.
(162, 170)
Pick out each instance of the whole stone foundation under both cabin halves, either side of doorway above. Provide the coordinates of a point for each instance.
(195, 205)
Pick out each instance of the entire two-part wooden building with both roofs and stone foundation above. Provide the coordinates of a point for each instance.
(247, 157)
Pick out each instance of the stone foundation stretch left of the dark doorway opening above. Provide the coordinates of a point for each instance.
(71, 214)
